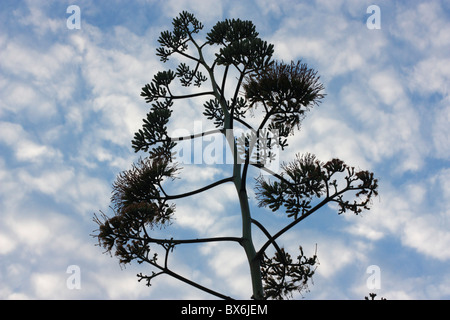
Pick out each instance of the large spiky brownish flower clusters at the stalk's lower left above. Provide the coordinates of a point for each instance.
(138, 204)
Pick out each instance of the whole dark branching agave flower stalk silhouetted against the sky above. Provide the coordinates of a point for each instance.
(282, 93)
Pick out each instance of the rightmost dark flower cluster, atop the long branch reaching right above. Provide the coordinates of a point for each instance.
(306, 179)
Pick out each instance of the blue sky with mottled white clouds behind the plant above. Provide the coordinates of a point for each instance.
(70, 104)
